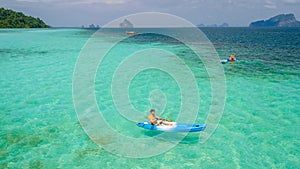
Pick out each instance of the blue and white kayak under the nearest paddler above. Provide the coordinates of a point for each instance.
(173, 127)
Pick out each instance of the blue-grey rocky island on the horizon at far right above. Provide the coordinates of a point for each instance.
(282, 20)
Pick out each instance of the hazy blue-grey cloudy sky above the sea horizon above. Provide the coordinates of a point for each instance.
(74, 13)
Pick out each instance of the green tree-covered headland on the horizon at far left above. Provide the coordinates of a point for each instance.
(12, 19)
